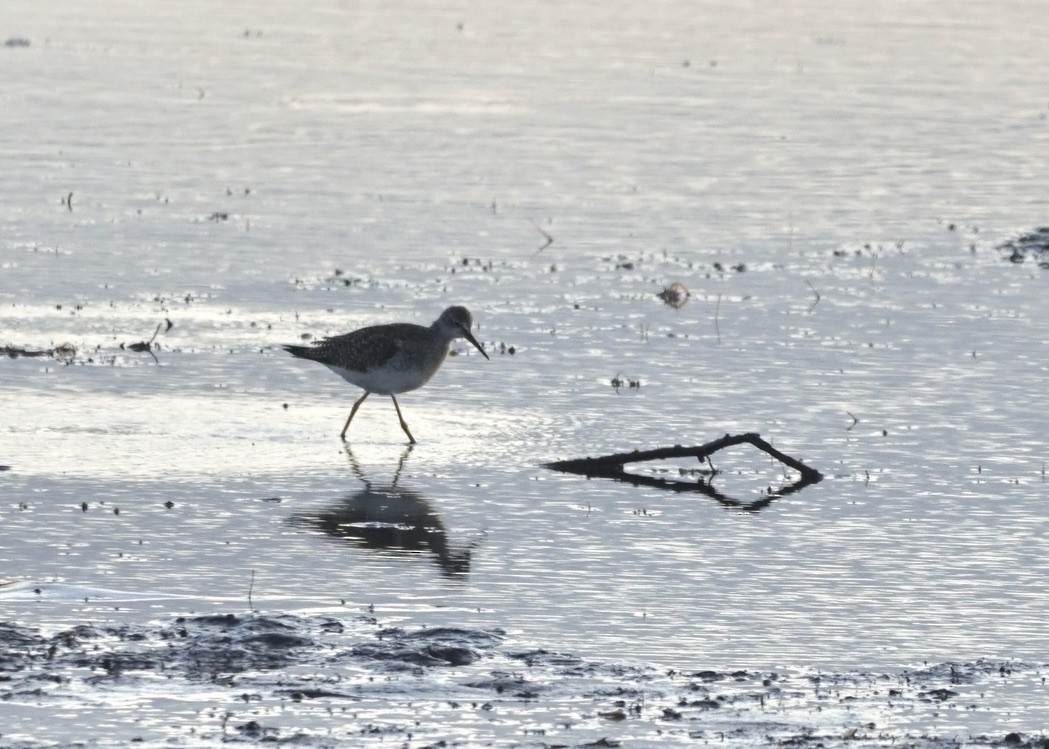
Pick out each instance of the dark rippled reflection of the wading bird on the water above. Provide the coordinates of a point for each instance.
(390, 518)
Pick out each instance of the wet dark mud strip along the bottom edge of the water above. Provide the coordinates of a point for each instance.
(326, 681)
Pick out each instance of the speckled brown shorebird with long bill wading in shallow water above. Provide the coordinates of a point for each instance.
(391, 359)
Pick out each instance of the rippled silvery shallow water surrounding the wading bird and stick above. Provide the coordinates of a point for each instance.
(830, 185)
